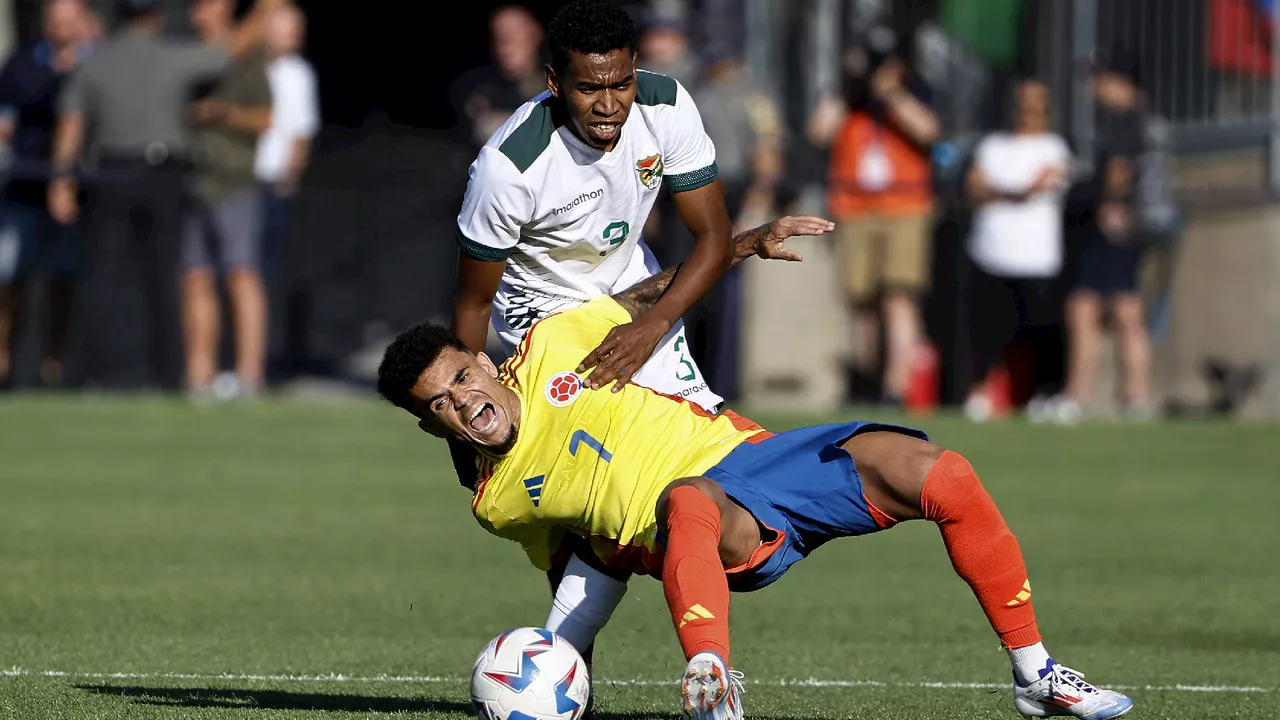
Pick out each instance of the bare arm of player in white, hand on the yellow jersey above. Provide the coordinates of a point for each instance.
(629, 347)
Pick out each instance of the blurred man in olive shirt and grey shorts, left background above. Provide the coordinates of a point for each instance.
(225, 231)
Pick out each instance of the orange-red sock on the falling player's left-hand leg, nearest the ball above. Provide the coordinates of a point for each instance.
(693, 577)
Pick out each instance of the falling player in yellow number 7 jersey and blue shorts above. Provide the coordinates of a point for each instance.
(628, 481)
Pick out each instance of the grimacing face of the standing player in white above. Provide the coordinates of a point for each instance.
(598, 92)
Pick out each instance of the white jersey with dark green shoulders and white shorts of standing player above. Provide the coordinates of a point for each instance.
(569, 218)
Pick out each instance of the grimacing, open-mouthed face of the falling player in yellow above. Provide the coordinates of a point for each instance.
(460, 397)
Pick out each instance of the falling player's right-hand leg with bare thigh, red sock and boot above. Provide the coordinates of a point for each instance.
(906, 479)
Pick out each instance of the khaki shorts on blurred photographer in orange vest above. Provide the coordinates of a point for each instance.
(886, 253)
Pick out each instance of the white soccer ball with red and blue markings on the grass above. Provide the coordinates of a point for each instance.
(529, 675)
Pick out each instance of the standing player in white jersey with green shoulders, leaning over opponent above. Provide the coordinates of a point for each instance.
(560, 195)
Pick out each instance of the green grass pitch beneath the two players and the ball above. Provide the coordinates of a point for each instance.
(289, 562)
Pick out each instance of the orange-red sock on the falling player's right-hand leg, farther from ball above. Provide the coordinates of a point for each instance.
(982, 549)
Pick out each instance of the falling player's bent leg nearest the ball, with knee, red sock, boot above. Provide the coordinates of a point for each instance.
(706, 532)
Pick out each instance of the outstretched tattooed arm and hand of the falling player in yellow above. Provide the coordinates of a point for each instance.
(769, 241)
